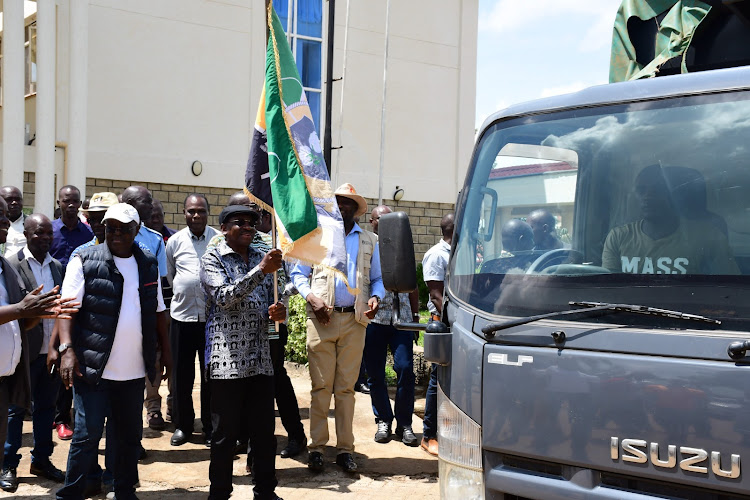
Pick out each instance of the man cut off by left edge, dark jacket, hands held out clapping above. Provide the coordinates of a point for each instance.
(18, 311)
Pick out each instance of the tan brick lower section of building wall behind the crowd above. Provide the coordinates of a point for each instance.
(423, 216)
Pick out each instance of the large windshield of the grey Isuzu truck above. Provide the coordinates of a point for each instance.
(644, 203)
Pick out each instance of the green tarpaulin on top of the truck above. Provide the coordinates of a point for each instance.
(673, 36)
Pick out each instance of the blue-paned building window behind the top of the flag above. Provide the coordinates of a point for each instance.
(303, 23)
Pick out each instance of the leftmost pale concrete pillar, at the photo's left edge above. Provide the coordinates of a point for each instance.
(14, 114)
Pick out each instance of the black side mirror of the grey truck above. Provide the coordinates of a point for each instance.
(397, 253)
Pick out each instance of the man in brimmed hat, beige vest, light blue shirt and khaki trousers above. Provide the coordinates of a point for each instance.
(336, 322)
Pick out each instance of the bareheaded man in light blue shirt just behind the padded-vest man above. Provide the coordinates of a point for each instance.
(140, 198)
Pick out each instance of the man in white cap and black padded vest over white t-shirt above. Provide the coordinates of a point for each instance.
(109, 348)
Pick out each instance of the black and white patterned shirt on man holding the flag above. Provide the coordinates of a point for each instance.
(237, 300)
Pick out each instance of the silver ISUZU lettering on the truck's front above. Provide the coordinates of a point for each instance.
(638, 451)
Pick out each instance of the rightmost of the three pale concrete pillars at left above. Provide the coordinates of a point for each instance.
(79, 61)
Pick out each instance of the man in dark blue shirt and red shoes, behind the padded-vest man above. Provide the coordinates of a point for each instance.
(68, 233)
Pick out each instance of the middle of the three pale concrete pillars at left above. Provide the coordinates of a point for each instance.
(45, 107)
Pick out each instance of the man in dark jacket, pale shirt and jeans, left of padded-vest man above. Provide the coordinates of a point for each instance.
(36, 267)
